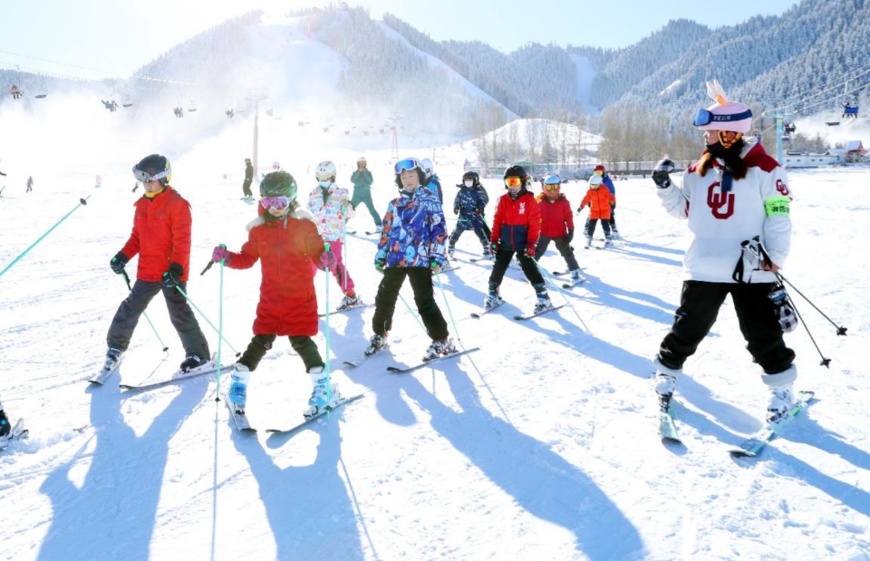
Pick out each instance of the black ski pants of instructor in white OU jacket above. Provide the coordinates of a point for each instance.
(699, 307)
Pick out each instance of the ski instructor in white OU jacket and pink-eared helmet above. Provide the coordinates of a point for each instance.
(732, 194)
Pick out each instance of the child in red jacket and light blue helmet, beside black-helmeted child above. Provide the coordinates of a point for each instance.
(557, 224)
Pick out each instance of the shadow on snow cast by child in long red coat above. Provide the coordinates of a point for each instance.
(302, 501)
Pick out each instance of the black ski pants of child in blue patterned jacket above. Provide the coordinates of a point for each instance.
(424, 297)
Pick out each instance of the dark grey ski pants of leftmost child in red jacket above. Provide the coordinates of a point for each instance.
(127, 317)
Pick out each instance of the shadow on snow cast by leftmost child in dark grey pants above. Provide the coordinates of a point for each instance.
(121, 491)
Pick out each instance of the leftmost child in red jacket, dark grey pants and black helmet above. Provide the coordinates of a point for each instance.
(161, 238)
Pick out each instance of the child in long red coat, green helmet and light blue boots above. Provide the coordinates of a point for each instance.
(285, 241)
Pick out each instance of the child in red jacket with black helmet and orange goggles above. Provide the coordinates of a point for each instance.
(515, 230)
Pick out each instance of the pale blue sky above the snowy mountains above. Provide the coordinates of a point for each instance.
(96, 38)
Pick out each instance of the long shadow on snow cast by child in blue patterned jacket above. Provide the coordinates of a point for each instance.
(541, 481)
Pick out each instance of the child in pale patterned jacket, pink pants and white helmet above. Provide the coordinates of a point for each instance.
(331, 208)
